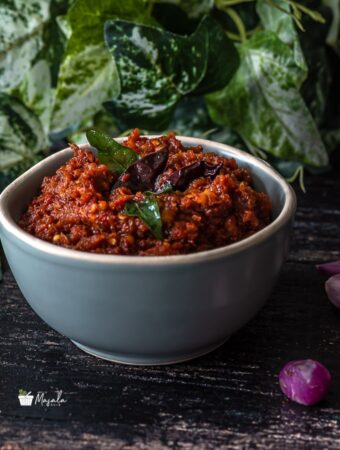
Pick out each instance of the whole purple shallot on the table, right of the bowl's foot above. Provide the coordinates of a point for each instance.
(305, 381)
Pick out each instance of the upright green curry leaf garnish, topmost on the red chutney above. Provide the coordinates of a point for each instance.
(117, 157)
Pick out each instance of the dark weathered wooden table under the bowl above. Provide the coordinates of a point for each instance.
(228, 399)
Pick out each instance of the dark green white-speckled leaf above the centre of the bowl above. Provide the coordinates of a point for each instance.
(156, 68)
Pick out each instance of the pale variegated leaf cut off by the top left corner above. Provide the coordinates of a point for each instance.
(21, 38)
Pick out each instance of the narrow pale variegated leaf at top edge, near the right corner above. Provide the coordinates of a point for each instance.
(274, 19)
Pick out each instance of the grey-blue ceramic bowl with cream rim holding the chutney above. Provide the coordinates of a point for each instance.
(148, 309)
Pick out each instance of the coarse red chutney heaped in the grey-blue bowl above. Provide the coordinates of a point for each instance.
(77, 209)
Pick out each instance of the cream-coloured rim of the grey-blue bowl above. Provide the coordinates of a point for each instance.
(285, 216)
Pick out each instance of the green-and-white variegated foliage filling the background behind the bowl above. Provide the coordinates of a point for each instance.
(259, 74)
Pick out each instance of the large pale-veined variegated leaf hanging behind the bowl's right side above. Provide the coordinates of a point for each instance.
(263, 104)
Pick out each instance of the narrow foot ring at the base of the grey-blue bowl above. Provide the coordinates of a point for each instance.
(140, 360)
